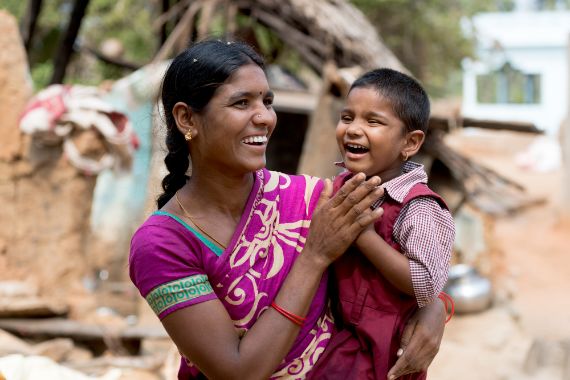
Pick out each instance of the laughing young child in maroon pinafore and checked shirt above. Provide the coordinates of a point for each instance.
(402, 263)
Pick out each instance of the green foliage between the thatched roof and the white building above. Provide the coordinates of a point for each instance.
(426, 36)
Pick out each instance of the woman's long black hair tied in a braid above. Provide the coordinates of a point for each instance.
(192, 78)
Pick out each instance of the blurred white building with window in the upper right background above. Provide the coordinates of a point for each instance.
(522, 67)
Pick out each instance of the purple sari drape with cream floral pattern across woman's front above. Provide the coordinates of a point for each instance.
(272, 235)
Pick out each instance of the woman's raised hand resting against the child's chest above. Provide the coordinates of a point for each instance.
(337, 221)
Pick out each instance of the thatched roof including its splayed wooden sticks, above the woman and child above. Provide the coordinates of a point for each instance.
(320, 30)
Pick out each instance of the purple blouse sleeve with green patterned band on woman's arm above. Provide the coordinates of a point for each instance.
(165, 266)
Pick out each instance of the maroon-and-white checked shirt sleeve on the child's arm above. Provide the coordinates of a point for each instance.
(426, 233)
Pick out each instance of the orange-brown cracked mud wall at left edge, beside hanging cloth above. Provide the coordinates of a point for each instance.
(45, 202)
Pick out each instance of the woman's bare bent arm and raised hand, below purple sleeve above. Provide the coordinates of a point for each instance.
(205, 333)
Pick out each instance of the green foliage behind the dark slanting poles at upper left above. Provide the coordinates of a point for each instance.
(128, 21)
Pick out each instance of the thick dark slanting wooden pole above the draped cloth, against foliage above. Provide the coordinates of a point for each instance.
(65, 48)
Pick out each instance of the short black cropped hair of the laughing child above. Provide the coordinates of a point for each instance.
(409, 99)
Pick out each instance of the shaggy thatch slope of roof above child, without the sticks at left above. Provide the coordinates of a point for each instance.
(323, 30)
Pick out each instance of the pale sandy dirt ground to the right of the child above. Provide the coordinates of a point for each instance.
(528, 335)
